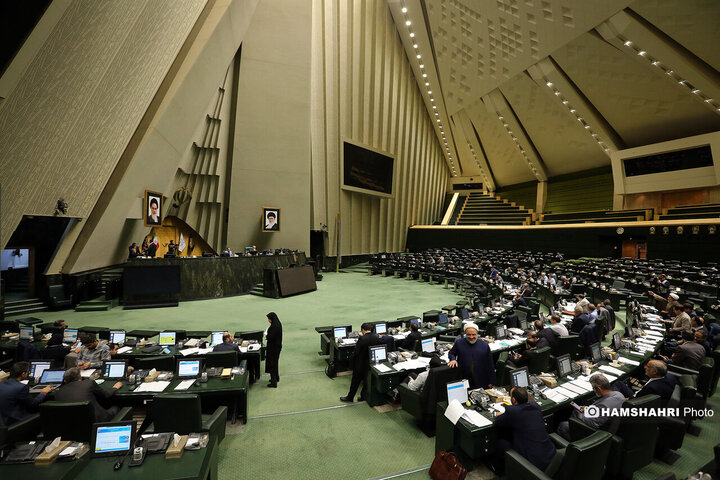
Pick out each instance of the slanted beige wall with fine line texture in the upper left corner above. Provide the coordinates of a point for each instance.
(68, 120)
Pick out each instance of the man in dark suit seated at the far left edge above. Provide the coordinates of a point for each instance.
(16, 403)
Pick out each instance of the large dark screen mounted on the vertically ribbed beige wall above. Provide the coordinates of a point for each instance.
(367, 170)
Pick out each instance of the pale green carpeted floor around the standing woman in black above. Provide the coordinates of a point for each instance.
(301, 429)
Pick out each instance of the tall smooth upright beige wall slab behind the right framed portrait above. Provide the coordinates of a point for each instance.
(271, 156)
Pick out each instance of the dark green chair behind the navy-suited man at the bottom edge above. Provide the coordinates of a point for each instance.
(583, 458)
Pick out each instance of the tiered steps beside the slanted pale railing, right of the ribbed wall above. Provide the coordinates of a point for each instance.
(482, 208)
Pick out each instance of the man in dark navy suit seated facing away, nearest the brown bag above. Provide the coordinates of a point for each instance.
(522, 428)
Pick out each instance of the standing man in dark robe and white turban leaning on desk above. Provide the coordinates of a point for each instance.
(474, 358)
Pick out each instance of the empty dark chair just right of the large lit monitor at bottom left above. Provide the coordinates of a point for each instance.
(182, 413)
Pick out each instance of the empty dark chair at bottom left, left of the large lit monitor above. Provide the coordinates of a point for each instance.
(72, 420)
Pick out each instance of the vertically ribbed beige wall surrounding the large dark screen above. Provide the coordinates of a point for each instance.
(364, 91)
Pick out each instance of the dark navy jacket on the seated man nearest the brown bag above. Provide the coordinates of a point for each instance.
(529, 436)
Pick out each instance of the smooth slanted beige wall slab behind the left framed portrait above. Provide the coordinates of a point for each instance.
(163, 139)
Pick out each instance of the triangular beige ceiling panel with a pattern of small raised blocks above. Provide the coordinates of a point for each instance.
(479, 44)
